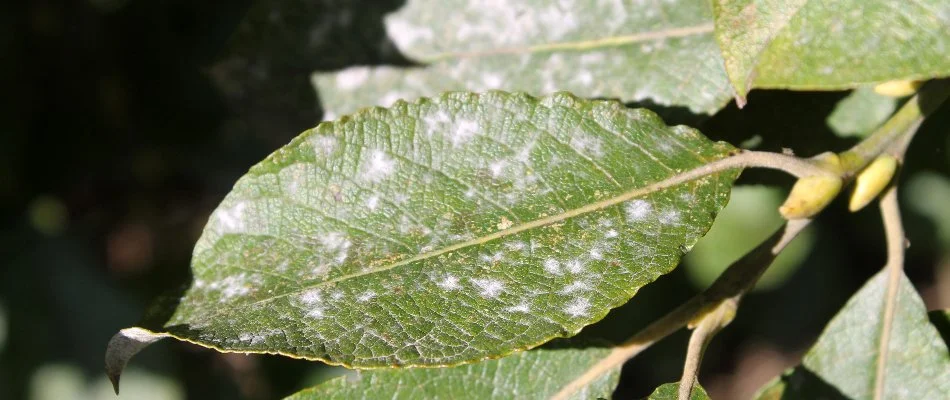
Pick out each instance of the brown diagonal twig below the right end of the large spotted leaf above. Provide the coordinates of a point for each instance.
(737, 279)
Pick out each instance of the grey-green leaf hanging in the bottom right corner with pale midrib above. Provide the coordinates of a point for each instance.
(845, 360)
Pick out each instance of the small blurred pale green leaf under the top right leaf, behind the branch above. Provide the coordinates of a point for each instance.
(861, 112)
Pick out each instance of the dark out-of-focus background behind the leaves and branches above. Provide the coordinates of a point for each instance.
(124, 123)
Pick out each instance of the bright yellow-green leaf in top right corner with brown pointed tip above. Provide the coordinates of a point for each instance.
(801, 44)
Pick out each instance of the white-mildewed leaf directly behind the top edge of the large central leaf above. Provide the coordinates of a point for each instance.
(662, 52)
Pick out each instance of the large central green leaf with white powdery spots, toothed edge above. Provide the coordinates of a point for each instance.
(447, 230)
